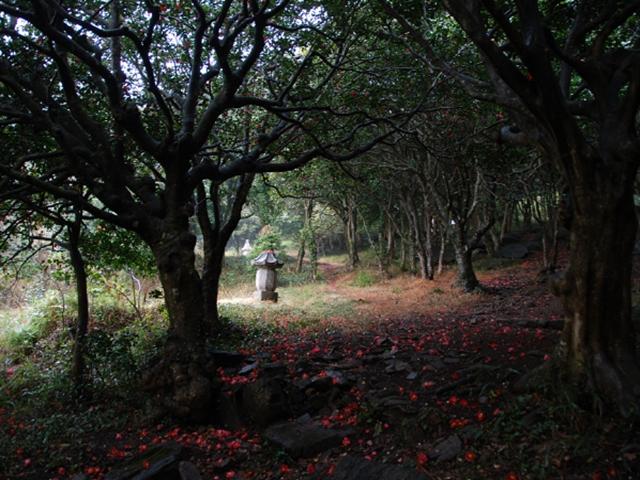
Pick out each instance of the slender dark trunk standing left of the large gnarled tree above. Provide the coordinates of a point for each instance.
(82, 324)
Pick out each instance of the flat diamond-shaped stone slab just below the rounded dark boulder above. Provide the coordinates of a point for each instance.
(304, 438)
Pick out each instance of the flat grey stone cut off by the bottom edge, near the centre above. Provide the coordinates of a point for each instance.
(353, 468)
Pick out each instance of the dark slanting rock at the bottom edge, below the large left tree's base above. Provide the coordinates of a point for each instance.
(158, 463)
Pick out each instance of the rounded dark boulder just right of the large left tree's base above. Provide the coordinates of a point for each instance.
(265, 400)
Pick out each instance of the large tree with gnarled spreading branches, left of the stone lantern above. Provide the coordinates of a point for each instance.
(155, 116)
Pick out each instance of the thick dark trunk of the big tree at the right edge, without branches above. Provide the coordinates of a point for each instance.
(599, 339)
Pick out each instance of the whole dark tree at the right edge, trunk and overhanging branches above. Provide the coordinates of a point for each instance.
(569, 75)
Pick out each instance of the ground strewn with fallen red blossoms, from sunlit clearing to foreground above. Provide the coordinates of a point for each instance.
(419, 375)
